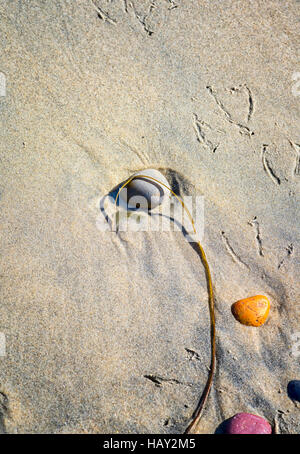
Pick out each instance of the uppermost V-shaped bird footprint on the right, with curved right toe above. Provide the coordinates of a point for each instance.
(243, 128)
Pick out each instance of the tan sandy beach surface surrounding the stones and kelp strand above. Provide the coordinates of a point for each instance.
(107, 332)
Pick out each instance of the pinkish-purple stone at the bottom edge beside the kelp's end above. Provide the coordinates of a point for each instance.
(246, 423)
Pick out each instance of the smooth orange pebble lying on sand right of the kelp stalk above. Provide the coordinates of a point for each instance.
(252, 311)
